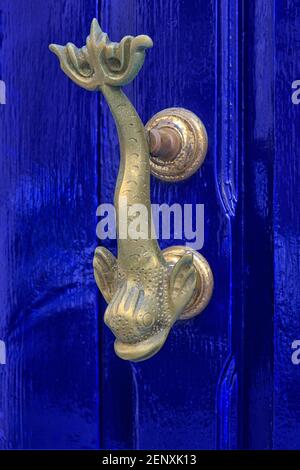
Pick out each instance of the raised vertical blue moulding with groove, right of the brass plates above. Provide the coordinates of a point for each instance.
(228, 157)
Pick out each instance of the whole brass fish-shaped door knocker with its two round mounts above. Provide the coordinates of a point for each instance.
(146, 289)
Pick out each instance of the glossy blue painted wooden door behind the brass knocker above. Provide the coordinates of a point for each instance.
(227, 379)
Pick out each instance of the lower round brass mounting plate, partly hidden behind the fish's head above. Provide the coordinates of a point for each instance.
(204, 283)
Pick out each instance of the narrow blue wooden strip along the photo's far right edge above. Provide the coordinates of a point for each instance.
(286, 228)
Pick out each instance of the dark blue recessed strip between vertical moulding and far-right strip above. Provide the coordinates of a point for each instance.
(257, 226)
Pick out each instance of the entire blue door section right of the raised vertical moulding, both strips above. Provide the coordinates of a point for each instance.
(271, 412)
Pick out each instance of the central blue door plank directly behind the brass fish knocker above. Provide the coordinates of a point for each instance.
(173, 397)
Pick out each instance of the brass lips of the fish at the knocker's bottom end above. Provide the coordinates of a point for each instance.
(143, 350)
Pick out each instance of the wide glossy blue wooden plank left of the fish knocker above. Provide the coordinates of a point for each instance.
(48, 154)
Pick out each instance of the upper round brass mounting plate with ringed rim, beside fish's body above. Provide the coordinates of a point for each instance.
(193, 149)
